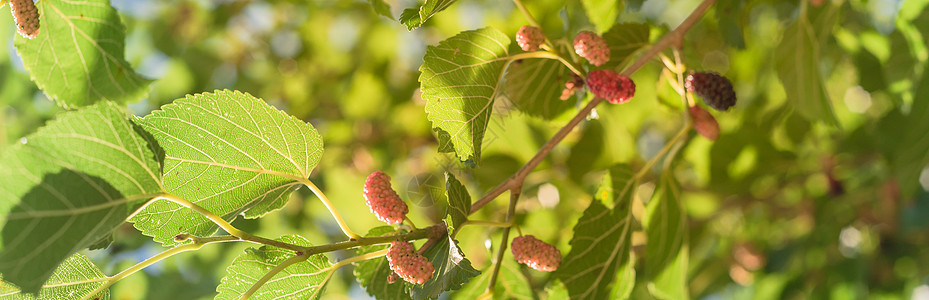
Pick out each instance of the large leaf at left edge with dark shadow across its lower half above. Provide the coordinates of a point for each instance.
(69, 185)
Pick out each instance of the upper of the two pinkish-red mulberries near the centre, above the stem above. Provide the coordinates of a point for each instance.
(383, 200)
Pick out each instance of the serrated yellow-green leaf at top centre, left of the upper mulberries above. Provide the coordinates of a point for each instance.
(460, 79)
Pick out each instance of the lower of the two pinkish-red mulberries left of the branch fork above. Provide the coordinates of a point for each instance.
(407, 264)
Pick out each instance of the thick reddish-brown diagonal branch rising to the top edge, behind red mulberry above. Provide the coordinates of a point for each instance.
(672, 38)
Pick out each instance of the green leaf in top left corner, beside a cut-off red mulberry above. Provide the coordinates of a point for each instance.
(77, 58)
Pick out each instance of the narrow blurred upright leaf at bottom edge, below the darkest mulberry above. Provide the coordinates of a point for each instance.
(665, 228)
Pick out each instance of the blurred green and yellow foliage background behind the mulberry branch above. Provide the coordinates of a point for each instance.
(781, 206)
